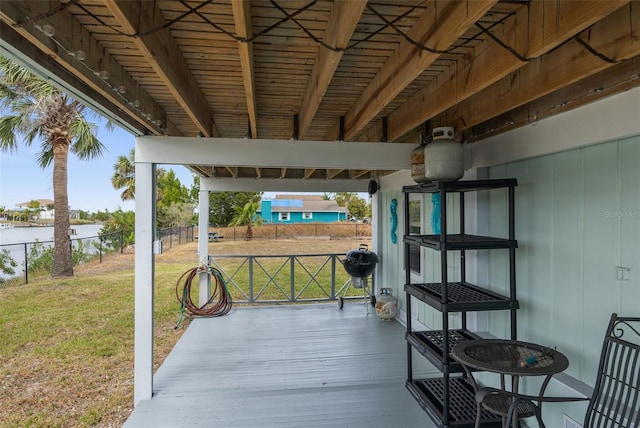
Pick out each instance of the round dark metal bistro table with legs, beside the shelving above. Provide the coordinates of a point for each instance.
(508, 358)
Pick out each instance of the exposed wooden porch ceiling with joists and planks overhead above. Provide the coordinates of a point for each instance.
(353, 70)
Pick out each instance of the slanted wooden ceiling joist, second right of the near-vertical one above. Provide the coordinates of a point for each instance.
(442, 23)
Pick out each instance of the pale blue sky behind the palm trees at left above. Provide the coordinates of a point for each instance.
(89, 185)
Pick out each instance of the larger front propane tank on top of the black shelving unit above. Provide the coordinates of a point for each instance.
(444, 156)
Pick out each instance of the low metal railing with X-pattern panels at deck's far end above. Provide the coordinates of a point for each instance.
(285, 278)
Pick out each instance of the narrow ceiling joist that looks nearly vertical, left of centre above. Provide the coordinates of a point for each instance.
(242, 19)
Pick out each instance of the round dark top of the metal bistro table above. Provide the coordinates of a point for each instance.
(510, 357)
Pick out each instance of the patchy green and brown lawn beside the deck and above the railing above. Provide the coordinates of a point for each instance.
(67, 344)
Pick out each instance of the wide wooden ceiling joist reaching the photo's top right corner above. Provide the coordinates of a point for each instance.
(617, 37)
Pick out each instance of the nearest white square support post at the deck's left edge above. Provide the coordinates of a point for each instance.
(144, 282)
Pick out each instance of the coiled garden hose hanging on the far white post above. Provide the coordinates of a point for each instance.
(219, 302)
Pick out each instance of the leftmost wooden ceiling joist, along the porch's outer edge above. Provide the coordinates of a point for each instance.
(70, 37)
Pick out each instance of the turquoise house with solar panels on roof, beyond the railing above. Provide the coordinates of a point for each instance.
(301, 209)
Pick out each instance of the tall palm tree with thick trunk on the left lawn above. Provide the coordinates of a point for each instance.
(34, 109)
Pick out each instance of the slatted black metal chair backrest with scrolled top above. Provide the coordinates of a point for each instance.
(616, 396)
